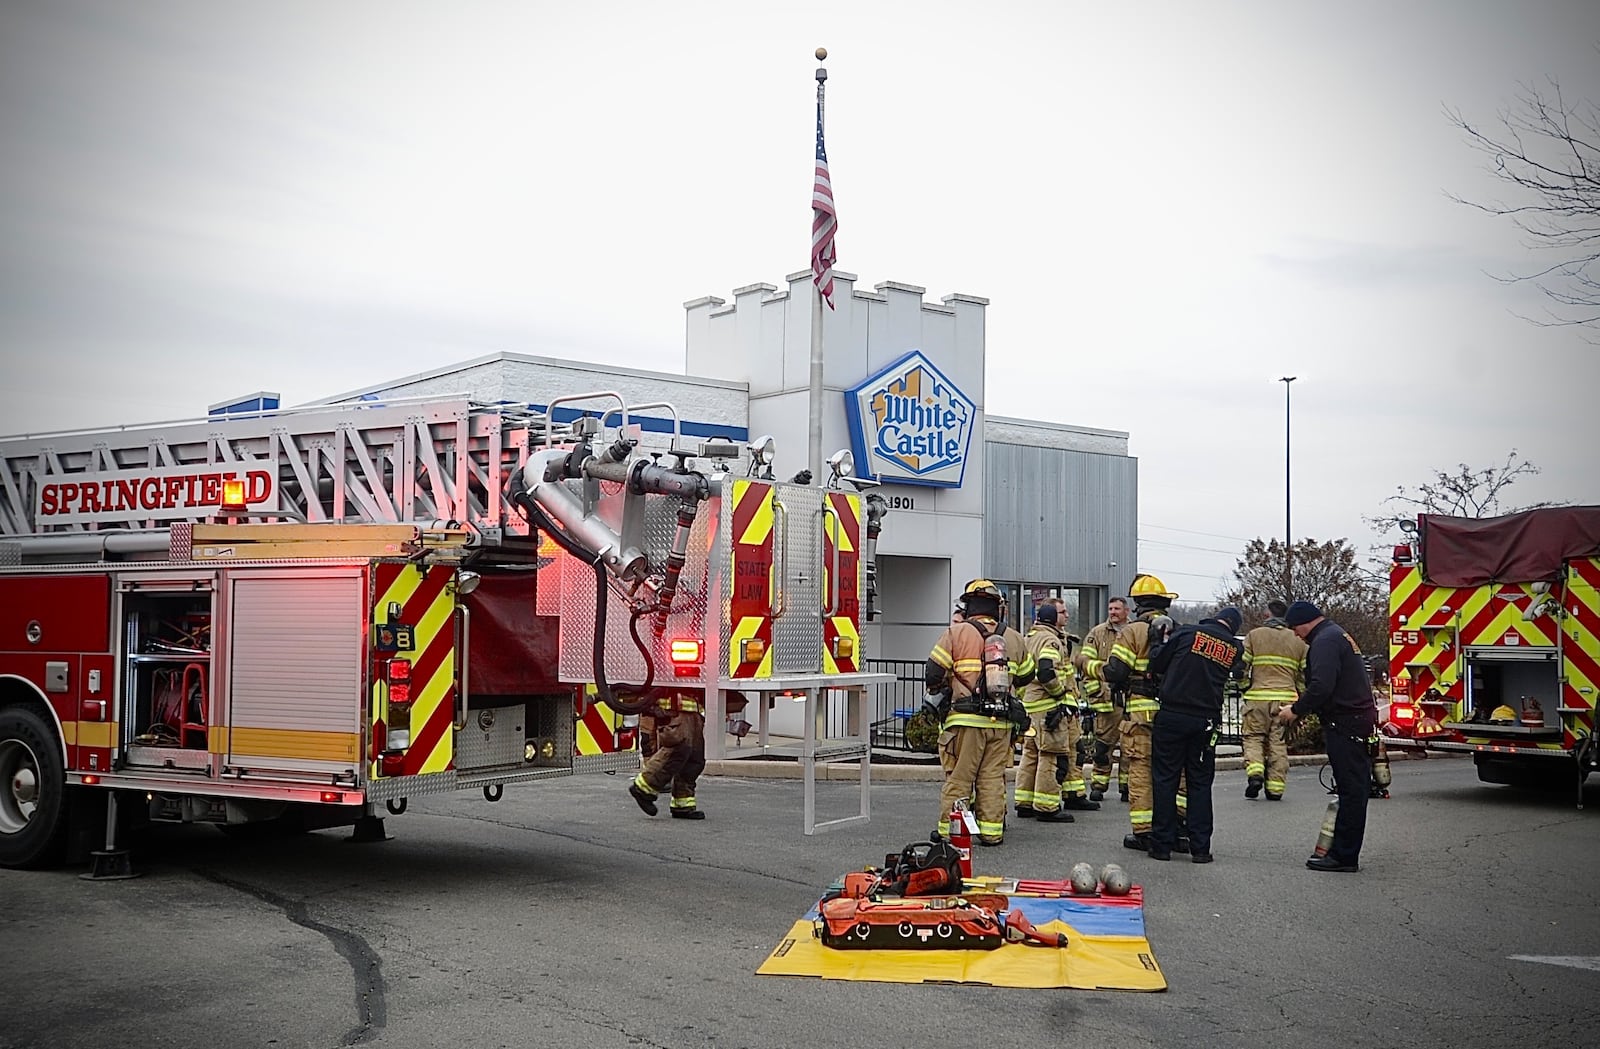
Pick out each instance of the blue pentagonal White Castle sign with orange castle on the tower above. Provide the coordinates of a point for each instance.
(913, 426)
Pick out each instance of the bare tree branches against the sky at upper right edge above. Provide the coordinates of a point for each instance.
(1548, 151)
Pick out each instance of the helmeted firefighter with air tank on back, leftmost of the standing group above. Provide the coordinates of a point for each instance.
(974, 676)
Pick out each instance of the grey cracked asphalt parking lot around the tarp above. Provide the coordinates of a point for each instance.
(564, 917)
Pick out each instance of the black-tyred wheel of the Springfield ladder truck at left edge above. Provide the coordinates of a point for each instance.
(33, 791)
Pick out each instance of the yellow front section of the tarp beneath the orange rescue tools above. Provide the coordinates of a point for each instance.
(1089, 962)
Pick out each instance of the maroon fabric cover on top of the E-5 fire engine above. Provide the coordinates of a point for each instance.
(1518, 548)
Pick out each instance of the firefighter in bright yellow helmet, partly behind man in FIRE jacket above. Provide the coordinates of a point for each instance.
(1130, 668)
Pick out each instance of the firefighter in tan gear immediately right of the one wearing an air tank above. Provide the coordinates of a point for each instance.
(1049, 781)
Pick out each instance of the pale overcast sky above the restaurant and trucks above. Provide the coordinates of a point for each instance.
(1169, 204)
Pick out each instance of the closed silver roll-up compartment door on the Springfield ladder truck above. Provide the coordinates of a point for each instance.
(297, 655)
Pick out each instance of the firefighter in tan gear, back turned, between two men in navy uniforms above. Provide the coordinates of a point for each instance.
(1278, 674)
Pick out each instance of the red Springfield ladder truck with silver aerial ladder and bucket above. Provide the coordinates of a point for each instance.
(306, 615)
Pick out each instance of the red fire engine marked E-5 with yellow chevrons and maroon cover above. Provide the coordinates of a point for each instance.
(1495, 644)
